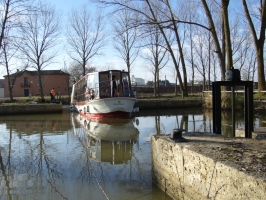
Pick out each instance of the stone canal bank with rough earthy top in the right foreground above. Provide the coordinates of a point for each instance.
(210, 166)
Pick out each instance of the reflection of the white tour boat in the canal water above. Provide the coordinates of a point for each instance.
(107, 139)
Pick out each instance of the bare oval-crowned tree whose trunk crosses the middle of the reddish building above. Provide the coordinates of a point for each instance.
(39, 32)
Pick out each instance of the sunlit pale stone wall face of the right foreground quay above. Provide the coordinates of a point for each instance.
(193, 170)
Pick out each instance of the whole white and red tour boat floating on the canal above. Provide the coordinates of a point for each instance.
(104, 94)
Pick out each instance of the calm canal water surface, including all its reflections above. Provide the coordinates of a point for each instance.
(64, 156)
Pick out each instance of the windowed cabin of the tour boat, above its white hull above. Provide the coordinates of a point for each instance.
(106, 84)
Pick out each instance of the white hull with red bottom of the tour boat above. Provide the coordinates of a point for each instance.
(109, 107)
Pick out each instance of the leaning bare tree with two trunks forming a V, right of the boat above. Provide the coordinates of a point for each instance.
(163, 22)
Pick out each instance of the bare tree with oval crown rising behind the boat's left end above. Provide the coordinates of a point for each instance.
(85, 36)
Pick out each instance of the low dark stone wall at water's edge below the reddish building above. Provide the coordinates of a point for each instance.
(30, 109)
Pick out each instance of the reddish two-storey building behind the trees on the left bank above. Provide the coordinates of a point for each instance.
(25, 83)
